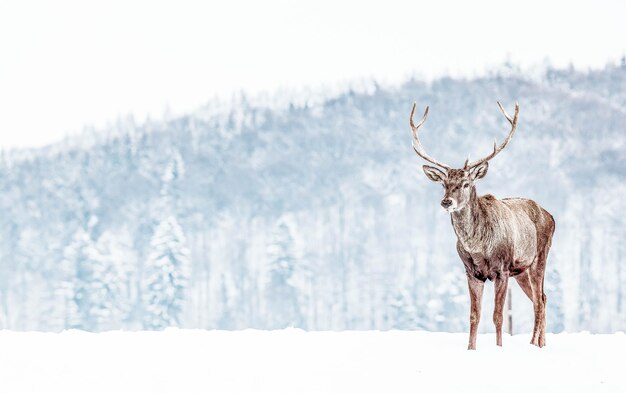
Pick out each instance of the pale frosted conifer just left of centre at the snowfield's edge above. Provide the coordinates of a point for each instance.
(282, 297)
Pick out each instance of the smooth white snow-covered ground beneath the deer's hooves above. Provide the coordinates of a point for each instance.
(296, 361)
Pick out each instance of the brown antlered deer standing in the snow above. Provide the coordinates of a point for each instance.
(496, 238)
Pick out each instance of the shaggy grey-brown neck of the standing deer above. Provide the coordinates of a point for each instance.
(467, 222)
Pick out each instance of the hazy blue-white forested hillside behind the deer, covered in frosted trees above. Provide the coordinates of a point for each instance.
(315, 216)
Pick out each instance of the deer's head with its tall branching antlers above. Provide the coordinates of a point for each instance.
(458, 184)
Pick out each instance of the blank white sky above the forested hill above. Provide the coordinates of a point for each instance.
(68, 64)
